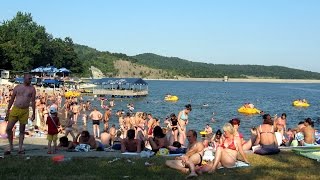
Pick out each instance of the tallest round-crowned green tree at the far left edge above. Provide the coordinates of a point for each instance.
(21, 39)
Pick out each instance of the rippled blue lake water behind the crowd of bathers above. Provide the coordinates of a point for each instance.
(223, 99)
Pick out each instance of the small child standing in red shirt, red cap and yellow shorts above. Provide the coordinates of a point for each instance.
(53, 130)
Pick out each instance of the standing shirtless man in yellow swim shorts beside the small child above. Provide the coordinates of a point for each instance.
(22, 96)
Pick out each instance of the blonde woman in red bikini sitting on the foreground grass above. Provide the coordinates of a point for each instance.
(226, 154)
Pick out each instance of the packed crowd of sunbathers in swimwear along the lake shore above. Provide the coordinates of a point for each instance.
(139, 131)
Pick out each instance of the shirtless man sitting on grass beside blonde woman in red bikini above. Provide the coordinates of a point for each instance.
(192, 158)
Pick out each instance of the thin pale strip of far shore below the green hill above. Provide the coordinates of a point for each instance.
(242, 80)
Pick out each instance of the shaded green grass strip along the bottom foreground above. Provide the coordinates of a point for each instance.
(286, 165)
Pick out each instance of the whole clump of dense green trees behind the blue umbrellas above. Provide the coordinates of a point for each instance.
(25, 45)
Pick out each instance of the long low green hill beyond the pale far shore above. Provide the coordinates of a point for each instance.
(187, 68)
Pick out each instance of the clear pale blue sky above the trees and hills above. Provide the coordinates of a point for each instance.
(264, 32)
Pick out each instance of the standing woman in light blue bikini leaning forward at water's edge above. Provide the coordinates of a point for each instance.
(183, 121)
